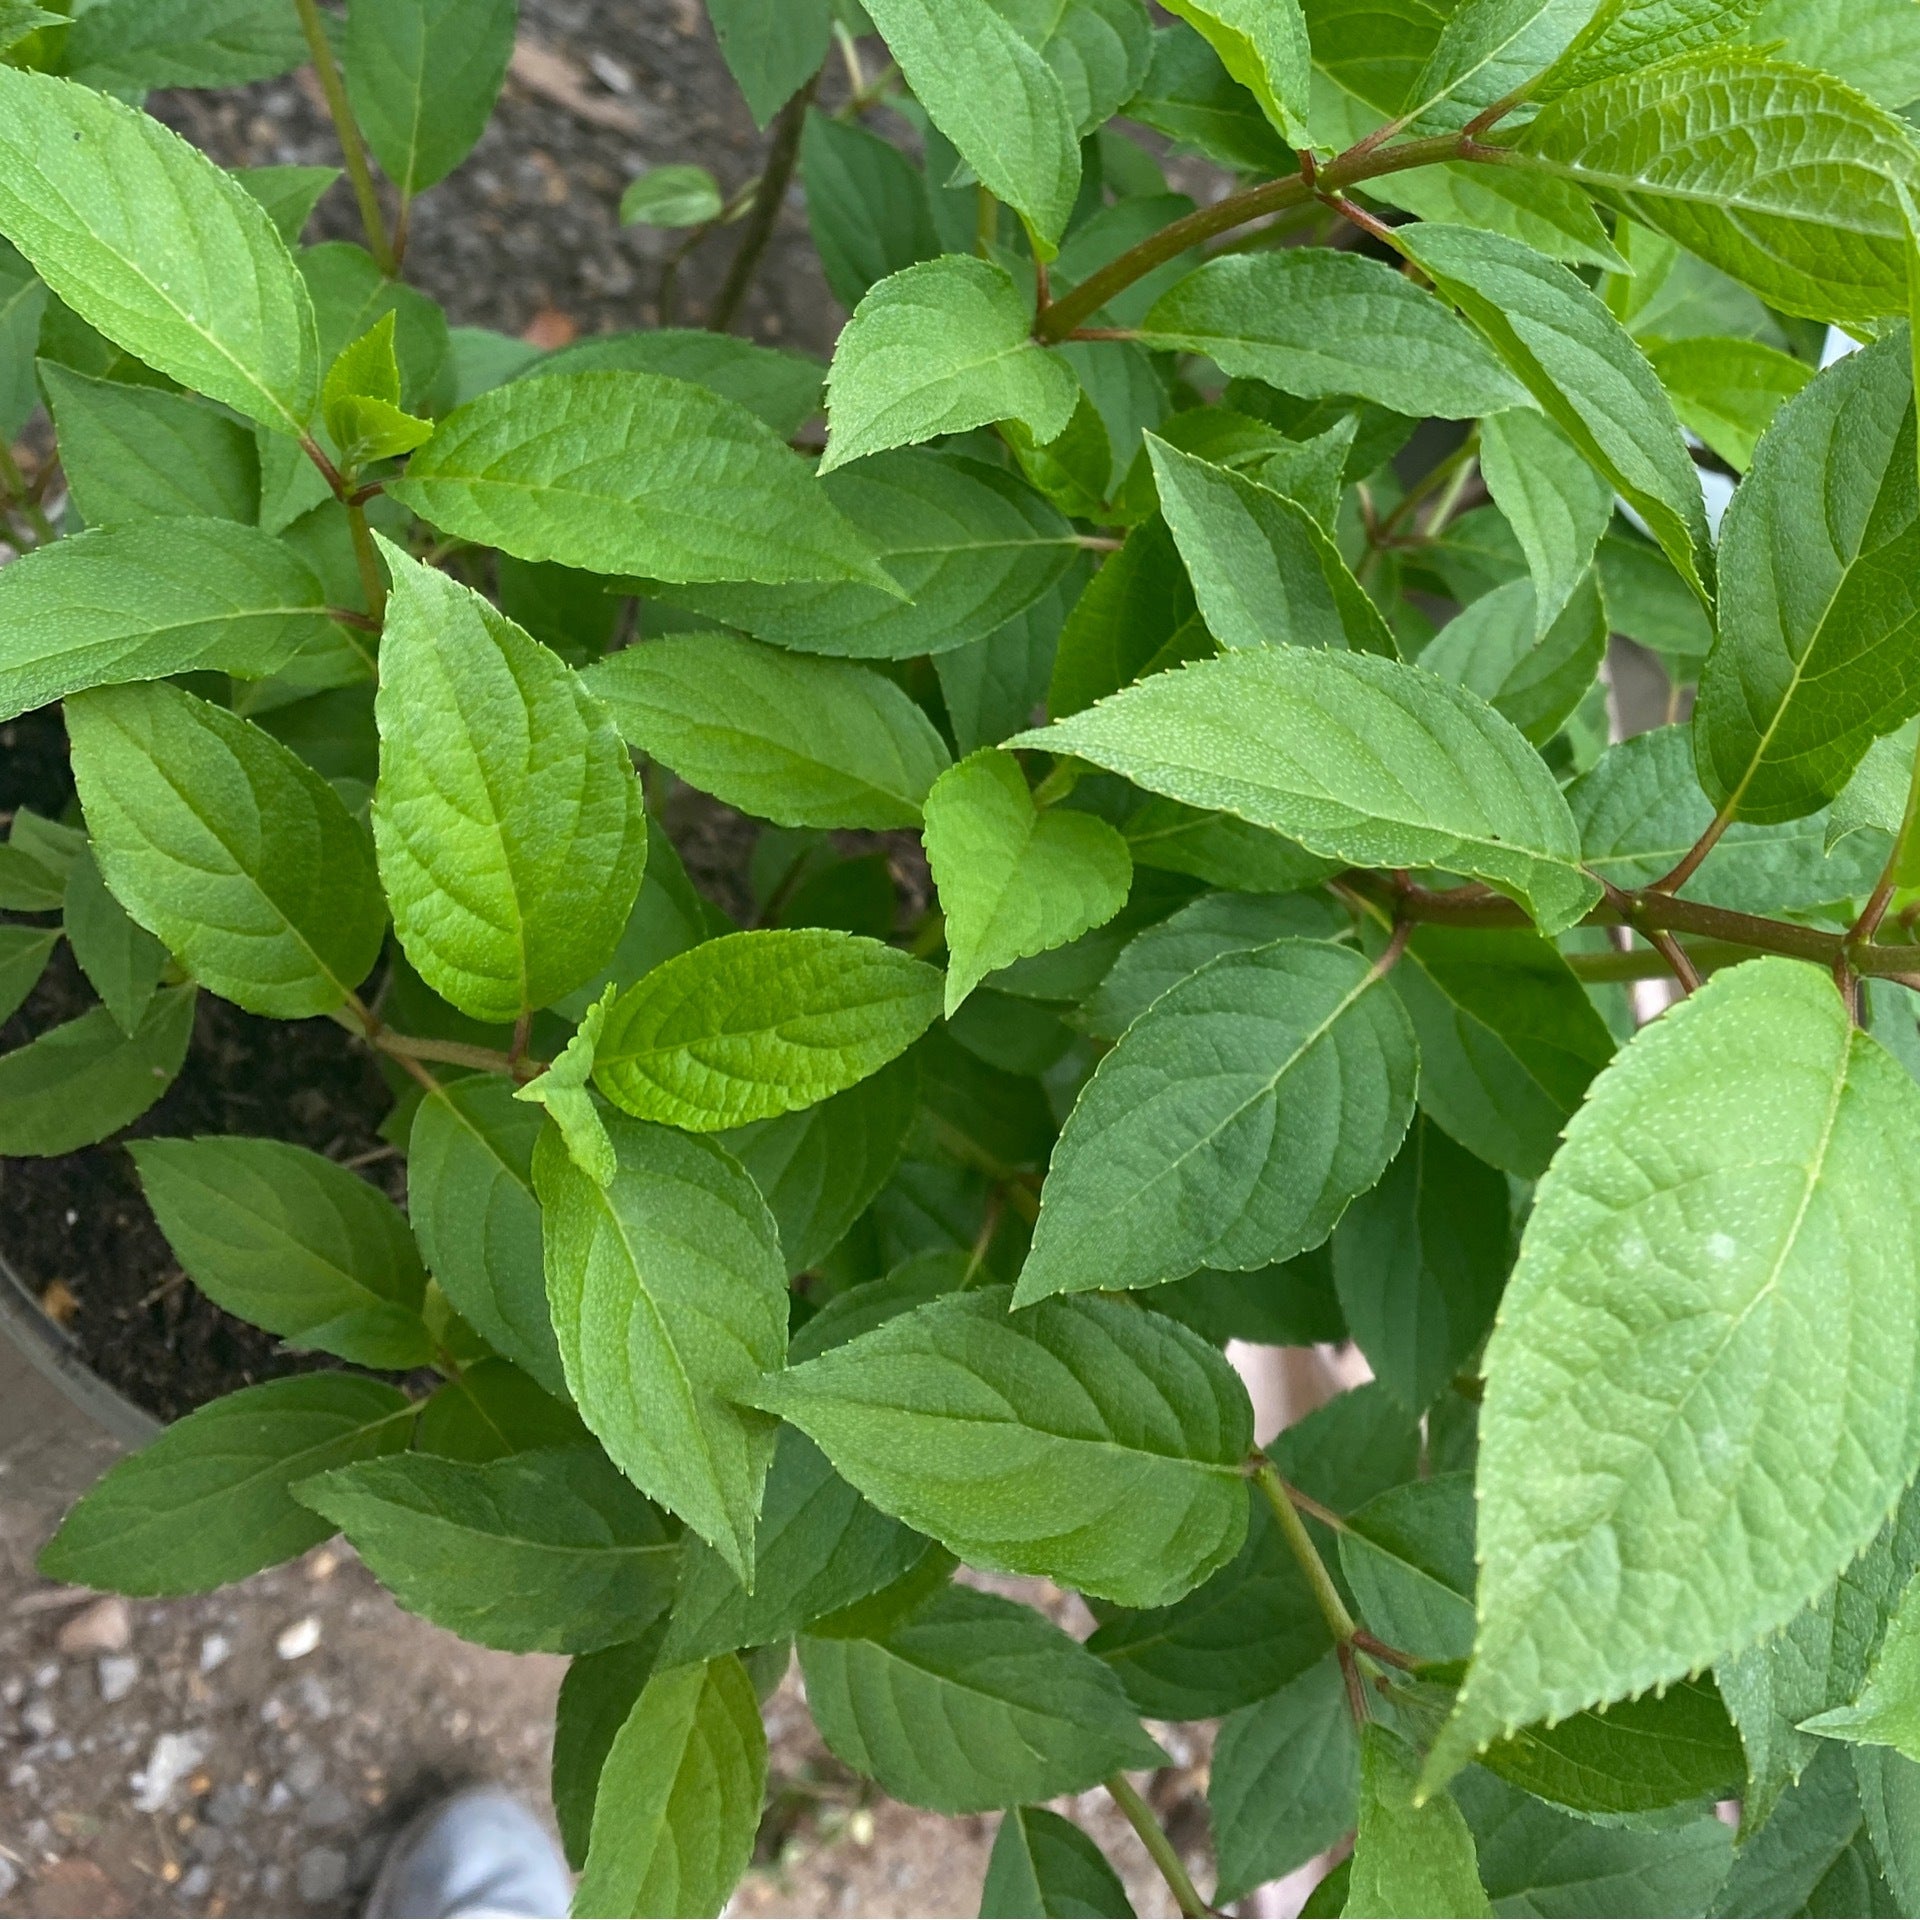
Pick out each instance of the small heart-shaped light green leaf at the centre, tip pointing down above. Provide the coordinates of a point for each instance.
(1015, 878)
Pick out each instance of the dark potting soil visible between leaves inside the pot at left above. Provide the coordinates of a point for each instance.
(80, 1232)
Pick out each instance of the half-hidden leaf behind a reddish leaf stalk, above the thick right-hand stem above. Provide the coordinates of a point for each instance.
(1641, 809)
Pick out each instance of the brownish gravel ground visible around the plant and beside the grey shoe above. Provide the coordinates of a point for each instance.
(254, 1750)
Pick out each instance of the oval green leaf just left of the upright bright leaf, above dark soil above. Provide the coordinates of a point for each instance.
(229, 848)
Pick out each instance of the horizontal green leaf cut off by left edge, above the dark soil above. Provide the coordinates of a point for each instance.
(151, 600)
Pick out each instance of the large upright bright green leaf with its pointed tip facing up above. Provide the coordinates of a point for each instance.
(508, 819)
